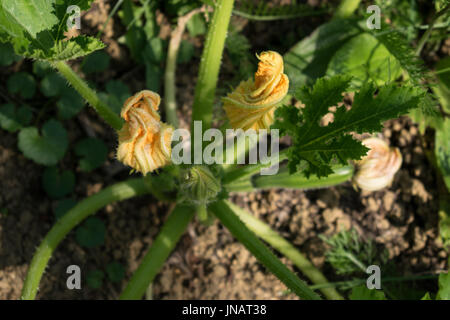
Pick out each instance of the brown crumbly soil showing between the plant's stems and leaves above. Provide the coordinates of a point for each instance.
(208, 262)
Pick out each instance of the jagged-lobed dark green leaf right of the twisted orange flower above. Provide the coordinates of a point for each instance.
(318, 146)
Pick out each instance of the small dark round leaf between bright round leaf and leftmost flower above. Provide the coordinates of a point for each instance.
(93, 153)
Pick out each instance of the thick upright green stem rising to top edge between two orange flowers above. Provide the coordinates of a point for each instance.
(210, 64)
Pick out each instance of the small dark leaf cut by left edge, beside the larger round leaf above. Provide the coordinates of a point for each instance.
(12, 119)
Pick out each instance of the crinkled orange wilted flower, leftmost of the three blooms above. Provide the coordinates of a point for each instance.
(144, 141)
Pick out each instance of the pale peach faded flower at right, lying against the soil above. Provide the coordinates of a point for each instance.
(377, 169)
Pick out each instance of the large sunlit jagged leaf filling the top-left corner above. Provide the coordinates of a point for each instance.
(35, 29)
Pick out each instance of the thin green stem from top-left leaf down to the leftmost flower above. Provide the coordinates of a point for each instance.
(89, 95)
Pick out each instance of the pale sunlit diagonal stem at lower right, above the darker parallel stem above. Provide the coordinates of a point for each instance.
(270, 236)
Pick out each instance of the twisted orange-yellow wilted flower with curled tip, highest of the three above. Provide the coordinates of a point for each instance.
(252, 104)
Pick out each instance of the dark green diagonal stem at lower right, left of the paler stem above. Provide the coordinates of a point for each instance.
(228, 217)
